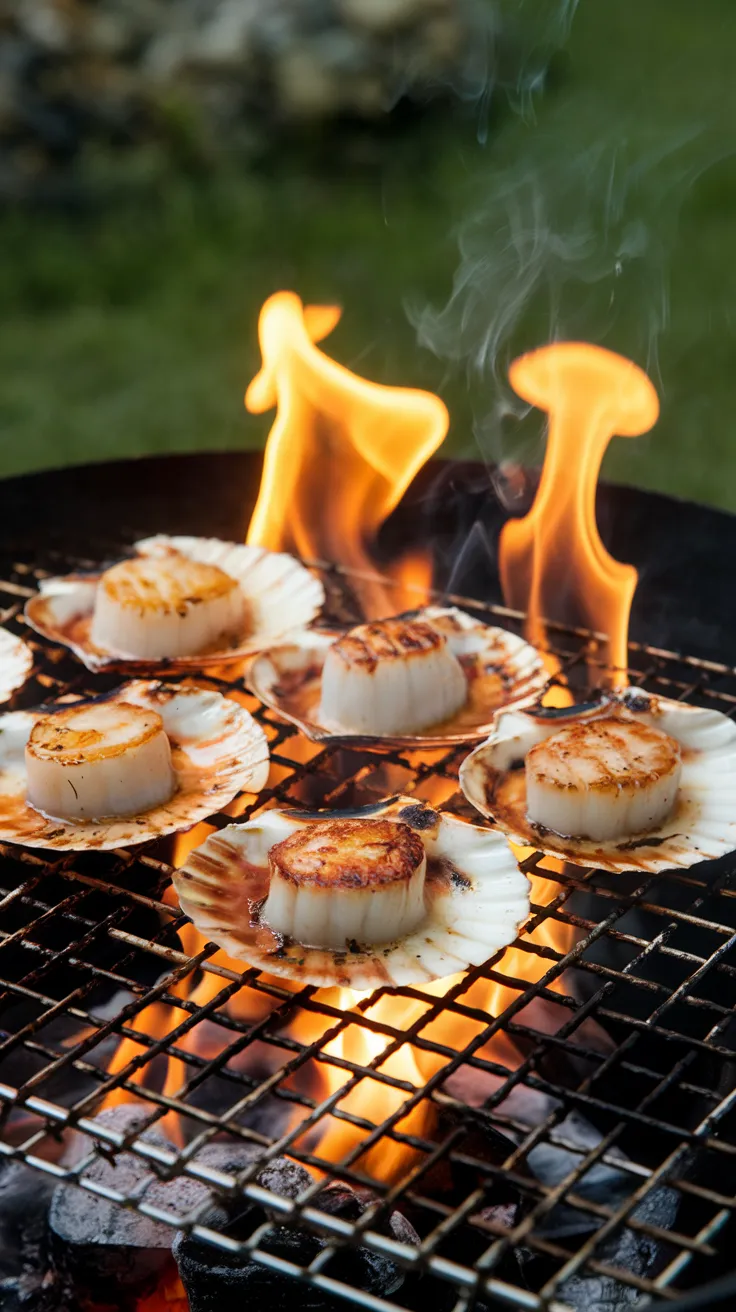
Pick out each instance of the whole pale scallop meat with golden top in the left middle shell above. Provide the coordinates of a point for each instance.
(106, 759)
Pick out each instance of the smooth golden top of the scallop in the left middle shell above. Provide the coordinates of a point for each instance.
(85, 734)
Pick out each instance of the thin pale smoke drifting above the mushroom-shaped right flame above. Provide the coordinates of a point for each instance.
(563, 249)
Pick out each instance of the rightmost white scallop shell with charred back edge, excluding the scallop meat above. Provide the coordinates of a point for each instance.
(701, 827)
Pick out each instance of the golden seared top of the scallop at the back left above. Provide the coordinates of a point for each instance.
(166, 587)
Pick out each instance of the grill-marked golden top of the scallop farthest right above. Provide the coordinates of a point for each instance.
(607, 755)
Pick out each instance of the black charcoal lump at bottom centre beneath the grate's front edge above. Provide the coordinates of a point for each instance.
(217, 1281)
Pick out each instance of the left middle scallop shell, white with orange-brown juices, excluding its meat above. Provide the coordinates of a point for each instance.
(218, 751)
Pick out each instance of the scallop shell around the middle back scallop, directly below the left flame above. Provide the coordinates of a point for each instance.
(501, 667)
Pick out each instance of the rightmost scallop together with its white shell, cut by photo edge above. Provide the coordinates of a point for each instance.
(632, 783)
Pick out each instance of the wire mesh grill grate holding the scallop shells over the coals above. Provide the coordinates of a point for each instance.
(628, 1032)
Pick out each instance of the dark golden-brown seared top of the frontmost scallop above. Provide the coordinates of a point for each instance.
(348, 855)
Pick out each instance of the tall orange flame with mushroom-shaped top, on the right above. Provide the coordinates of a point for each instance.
(554, 565)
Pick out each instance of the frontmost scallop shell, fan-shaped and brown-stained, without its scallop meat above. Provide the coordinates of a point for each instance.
(477, 901)
